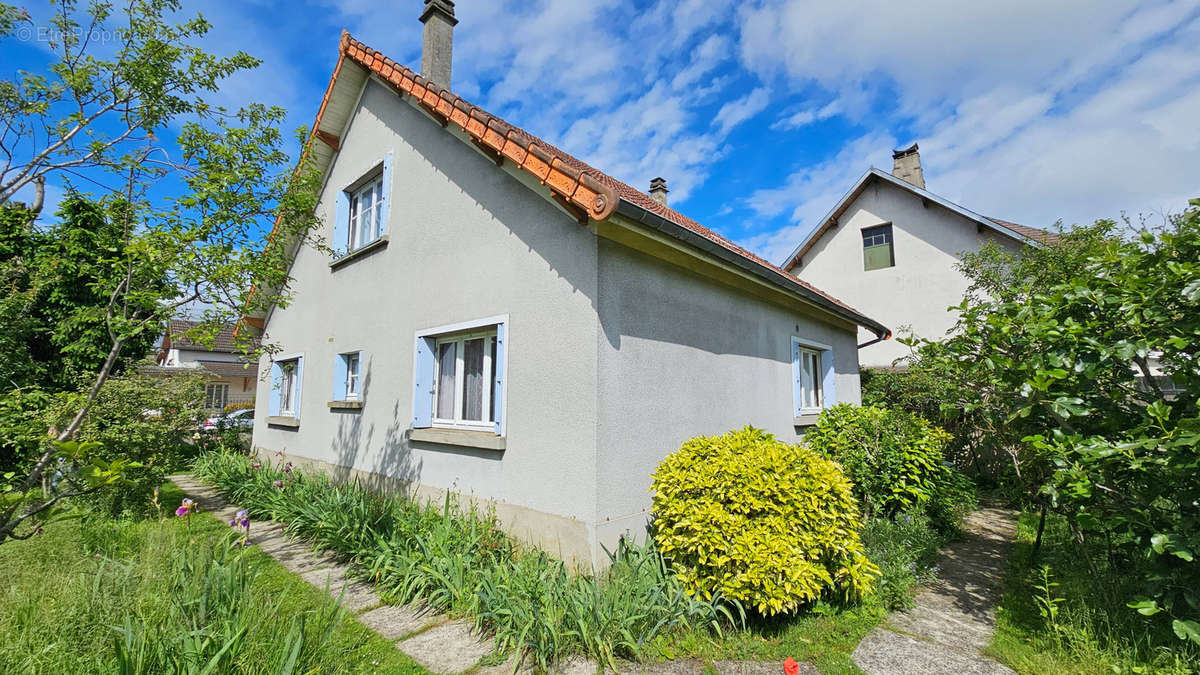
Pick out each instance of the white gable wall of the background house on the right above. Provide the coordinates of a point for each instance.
(916, 292)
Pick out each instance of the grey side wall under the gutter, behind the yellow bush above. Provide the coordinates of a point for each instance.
(682, 356)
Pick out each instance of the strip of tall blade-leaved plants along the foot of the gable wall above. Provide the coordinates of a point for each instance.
(459, 561)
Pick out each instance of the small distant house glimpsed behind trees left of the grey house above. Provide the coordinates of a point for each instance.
(231, 378)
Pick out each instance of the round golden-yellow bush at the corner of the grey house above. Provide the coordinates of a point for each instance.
(771, 525)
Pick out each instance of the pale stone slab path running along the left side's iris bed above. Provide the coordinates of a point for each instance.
(435, 641)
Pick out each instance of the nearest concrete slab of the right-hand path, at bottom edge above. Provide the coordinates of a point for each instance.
(884, 653)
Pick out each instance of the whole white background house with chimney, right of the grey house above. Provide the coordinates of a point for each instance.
(890, 248)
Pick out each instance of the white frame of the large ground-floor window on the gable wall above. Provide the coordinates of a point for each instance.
(465, 331)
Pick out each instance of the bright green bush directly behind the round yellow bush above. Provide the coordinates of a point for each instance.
(893, 458)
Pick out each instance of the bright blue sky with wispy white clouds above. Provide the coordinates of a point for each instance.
(761, 115)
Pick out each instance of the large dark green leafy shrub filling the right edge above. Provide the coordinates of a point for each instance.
(1058, 365)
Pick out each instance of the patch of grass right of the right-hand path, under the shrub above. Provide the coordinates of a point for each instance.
(1096, 632)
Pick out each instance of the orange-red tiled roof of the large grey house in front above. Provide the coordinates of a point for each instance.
(578, 187)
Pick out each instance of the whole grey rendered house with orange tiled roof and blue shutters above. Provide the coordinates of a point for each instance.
(508, 324)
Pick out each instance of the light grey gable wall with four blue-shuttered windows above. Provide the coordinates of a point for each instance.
(467, 242)
